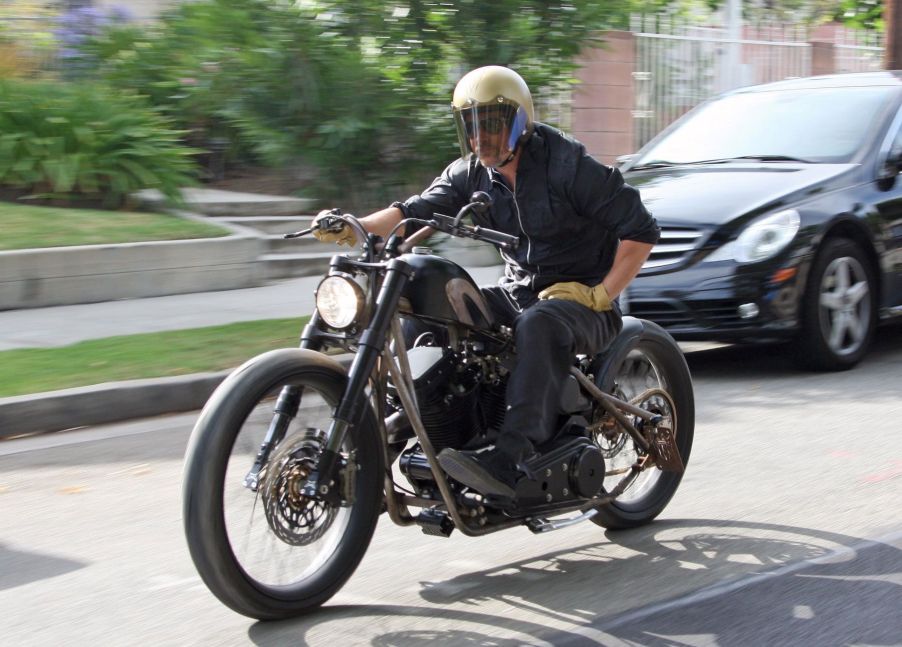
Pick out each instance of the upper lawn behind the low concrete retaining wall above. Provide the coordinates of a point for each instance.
(26, 227)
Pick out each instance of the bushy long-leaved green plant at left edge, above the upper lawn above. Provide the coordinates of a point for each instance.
(87, 142)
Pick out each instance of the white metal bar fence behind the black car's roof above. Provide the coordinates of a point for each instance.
(679, 65)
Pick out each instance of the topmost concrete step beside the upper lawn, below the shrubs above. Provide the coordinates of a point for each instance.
(216, 203)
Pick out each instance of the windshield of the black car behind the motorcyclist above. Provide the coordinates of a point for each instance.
(816, 125)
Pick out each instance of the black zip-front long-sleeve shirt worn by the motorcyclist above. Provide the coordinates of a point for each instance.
(569, 211)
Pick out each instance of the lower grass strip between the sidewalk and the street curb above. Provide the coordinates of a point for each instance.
(179, 352)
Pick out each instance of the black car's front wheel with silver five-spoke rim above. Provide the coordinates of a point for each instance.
(839, 309)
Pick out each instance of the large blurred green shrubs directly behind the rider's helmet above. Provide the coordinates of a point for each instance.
(360, 88)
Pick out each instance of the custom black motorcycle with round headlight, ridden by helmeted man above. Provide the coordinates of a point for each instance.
(299, 451)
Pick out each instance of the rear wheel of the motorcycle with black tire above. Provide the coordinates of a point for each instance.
(655, 361)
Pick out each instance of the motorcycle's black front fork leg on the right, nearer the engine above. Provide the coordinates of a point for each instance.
(370, 346)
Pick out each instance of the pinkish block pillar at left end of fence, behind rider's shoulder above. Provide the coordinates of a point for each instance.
(603, 101)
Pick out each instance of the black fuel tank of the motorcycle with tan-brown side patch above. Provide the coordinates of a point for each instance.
(442, 290)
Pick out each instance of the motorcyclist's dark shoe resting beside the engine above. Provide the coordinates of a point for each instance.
(491, 472)
